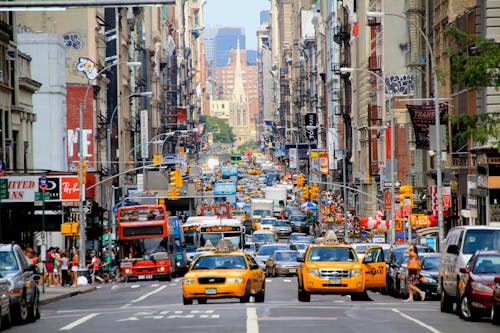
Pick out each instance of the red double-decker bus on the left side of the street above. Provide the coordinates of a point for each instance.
(146, 241)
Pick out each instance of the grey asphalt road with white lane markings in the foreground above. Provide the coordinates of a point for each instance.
(151, 306)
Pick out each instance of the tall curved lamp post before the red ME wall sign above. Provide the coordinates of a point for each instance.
(81, 213)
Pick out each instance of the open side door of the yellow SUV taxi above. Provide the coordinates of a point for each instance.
(374, 268)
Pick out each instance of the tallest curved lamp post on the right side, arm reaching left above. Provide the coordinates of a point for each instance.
(439, 179)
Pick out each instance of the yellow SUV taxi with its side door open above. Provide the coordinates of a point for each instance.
(333, 268)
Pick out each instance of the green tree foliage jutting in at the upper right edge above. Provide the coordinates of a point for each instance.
(475, 64)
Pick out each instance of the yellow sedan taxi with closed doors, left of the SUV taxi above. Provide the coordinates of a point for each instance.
(223, 273)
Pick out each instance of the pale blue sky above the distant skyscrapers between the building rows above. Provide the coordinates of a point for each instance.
(237, 13)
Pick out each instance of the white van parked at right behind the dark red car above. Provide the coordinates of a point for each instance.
(458, 246)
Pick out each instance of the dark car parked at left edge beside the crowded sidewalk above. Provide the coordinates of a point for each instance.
(24, 293)
